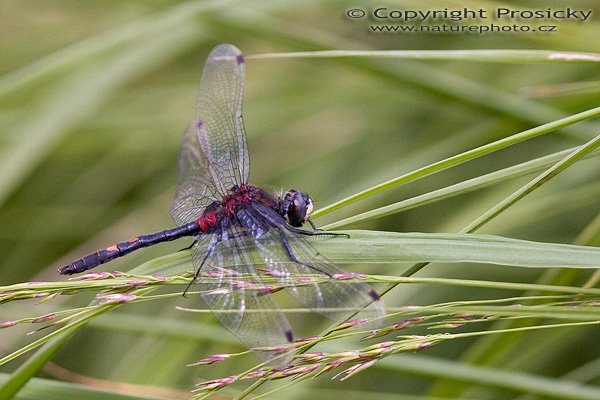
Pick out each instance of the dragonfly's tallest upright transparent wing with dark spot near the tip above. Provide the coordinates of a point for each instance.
(219, 117)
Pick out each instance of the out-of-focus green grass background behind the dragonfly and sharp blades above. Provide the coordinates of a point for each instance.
(94, 97)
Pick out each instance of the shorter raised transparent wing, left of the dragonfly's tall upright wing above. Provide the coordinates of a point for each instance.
(195, 186)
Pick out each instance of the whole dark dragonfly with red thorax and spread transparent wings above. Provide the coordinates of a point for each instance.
(243, 234)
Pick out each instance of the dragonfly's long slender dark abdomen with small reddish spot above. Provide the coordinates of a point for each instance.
(123, 248)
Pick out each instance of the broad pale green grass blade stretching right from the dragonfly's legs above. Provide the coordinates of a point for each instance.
(382, 247)
